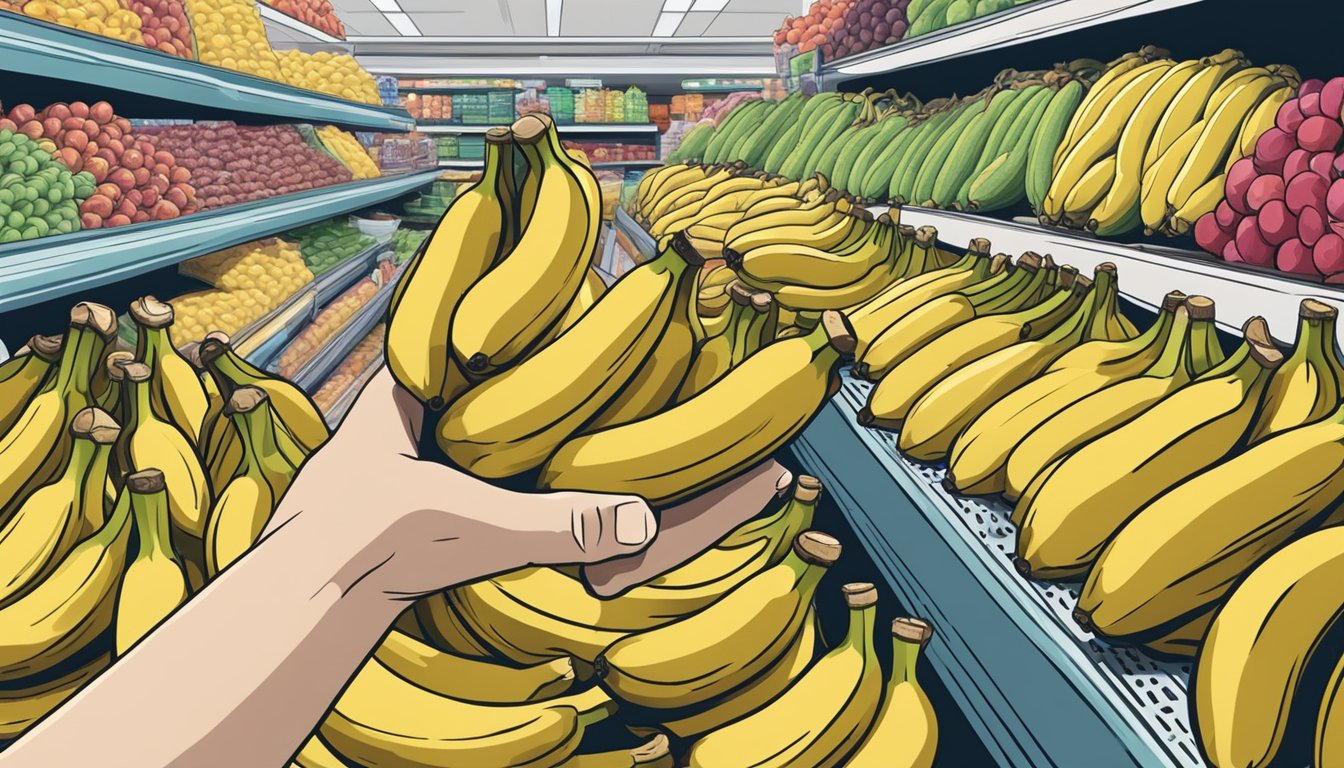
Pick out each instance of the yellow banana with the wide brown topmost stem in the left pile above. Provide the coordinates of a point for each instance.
(177, 392)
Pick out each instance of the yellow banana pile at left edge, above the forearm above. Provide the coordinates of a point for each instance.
(127, 481)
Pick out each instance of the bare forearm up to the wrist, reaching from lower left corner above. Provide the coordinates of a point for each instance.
(240, 676)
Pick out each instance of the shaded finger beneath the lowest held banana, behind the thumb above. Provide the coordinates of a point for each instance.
(689, 529)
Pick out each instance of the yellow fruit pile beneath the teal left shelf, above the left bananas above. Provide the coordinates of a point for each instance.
(251, 280)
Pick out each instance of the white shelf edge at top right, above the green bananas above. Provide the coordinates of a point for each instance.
(1022, 25)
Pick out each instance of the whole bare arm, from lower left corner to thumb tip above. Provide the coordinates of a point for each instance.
(243, 673)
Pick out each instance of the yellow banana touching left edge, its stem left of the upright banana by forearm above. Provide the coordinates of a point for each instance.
(72, 607)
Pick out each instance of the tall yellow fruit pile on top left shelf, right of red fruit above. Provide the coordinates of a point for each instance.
(230, 36)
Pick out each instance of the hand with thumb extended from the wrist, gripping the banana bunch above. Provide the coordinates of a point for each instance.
(429, 527)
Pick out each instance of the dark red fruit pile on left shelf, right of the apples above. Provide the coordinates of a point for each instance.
(230, 163)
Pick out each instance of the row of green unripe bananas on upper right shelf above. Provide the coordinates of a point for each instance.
(983, 153)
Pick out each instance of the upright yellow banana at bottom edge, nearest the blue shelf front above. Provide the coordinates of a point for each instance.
(905, 732)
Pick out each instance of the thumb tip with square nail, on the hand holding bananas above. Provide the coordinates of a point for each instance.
(591, 528)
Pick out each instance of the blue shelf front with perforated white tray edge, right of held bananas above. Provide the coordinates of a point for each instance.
(1037, 689)
